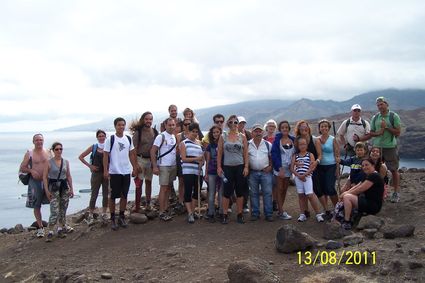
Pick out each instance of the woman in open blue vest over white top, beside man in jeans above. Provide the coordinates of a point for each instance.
(282, 151)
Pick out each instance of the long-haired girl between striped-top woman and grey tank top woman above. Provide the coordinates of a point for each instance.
(214, 181)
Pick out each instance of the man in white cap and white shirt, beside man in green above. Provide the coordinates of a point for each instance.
(353, 130)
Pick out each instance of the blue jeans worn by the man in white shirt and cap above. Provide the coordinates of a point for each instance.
(255, 179)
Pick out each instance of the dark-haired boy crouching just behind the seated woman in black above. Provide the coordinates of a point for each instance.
(356, 173)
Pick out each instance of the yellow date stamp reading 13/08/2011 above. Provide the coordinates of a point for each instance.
(343, 257)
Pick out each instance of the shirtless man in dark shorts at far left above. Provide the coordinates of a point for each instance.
(39, 157)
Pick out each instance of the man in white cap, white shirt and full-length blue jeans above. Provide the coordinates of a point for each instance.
(260, 174)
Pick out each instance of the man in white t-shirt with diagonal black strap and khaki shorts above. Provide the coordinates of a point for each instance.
(163, 158)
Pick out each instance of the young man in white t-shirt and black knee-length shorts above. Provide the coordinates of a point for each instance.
(119, 161)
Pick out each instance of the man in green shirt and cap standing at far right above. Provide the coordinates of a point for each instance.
(385, 128)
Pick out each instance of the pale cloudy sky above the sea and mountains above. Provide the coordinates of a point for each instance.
(64, 63)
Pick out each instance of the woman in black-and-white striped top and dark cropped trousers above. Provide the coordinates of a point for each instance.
(192, 158)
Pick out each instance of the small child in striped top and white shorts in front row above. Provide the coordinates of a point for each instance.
(301, 167)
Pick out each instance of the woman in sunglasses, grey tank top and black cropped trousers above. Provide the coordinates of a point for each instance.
(232, 161)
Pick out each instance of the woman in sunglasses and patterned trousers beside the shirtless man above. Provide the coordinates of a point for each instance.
(58, 187)
